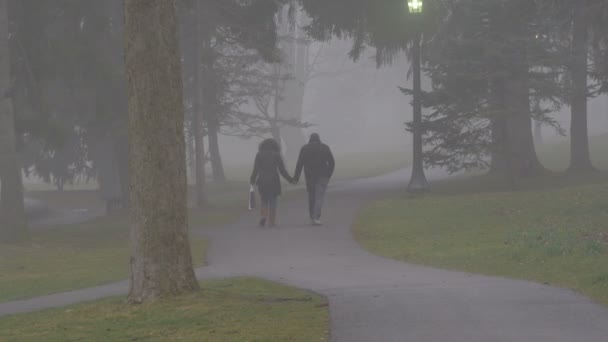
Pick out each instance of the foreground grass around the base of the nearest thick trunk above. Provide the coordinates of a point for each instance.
(224, 311)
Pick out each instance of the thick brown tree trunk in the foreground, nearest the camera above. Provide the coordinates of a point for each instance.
(161, 262)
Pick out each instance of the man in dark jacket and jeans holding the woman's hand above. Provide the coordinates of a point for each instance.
(318, 163)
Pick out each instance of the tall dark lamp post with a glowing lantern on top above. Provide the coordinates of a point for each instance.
(418, 182)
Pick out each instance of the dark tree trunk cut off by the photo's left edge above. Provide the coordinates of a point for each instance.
(13, 223)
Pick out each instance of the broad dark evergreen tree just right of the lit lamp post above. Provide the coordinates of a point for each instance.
(488, 65)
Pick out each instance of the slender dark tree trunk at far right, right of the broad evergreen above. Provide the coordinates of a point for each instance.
(580, 160)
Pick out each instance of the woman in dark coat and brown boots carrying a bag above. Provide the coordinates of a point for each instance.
(268, 165)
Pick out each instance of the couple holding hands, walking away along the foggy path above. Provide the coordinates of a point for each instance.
(318, 164)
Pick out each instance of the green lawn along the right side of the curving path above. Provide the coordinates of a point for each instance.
(557, 236)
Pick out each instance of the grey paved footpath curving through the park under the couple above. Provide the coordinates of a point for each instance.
(375, 299)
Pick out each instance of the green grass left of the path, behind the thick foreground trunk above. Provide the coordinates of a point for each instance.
(77, 256)
